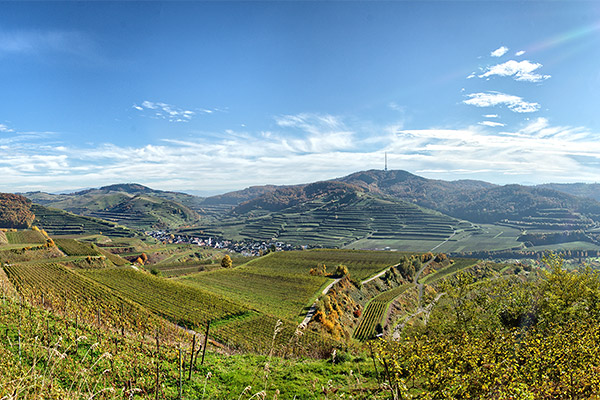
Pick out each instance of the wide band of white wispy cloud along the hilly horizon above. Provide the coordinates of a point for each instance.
(304, 148)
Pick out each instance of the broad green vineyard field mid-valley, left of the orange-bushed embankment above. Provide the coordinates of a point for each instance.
(280, 283)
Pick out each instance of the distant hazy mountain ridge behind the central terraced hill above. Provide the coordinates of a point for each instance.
(141, 207)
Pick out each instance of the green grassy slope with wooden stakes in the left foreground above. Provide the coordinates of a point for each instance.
(56, 360)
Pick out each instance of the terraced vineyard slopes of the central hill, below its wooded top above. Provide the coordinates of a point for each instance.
(336, 222)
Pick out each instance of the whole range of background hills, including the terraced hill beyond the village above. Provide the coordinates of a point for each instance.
(367, 209)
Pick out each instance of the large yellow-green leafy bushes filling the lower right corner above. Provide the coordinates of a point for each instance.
(520, 337)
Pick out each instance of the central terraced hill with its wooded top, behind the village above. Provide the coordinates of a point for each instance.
(335, 214)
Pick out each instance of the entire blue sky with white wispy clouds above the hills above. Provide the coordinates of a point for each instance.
(209, 97)
